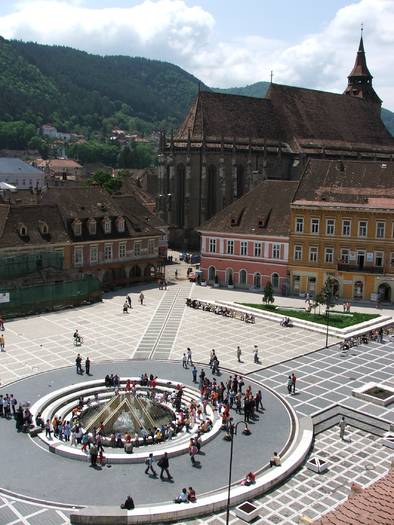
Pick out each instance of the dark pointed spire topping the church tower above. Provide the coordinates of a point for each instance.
(360, 78)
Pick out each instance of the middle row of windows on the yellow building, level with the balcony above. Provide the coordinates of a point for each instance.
(346, 256)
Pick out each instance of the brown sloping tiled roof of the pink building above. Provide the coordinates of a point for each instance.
(265, 210)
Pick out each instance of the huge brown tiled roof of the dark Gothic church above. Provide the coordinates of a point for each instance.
(300, 117)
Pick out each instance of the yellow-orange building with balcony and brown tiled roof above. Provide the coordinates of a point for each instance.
(342, 225)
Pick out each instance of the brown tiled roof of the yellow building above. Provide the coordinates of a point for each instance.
(351, 181)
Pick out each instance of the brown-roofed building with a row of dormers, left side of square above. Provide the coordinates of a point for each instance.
(85, 229)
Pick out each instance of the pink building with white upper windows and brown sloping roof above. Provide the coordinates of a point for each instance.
(247, 243)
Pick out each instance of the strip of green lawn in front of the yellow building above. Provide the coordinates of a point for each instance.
(337, 318)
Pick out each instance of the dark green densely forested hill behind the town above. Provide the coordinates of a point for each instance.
(90, 94)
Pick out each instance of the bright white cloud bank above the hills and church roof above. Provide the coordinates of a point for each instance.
(171, 30)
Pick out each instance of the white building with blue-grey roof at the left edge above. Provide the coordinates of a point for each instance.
(20, 174)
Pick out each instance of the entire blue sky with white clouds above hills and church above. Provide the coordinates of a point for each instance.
(225, 43)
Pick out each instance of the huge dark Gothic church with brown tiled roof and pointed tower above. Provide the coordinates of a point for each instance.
(228, 144)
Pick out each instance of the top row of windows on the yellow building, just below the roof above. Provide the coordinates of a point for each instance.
(346, 230)
